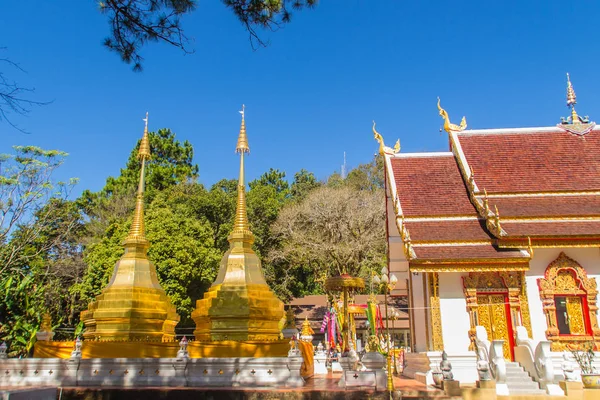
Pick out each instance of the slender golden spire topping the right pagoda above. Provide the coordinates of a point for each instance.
(241, 226)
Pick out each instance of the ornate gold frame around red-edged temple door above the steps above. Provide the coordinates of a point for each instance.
(510, 282)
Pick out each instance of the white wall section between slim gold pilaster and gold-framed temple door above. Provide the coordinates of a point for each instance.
(453, 310)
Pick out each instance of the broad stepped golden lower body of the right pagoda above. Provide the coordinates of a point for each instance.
(238, 312)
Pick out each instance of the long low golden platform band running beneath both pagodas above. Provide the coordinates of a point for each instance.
(156, 349)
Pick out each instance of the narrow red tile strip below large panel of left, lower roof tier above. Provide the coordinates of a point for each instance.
(447, 230)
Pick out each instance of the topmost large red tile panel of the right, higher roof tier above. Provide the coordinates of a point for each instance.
(527, 162)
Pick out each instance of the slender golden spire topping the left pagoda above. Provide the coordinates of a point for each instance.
(137, 233)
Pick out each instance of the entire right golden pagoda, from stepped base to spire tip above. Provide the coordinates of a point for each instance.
(239, 305)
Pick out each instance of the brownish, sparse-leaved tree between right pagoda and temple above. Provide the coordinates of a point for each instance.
(334, 230)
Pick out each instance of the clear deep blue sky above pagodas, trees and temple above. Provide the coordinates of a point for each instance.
(310, 95)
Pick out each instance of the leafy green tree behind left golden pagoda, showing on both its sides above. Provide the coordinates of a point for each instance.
(182, 249)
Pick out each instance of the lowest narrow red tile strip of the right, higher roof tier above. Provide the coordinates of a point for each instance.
(562, 228)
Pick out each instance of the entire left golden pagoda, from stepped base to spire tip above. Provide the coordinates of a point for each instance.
(133, 306)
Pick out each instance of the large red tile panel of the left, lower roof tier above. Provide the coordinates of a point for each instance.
(431, 186)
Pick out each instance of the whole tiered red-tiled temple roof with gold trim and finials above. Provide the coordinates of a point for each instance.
(497, 193)
